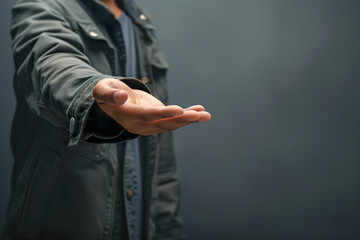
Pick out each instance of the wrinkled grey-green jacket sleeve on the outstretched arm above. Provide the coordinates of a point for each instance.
(53, 74)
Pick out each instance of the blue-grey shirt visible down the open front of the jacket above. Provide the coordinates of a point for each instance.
(125, 65)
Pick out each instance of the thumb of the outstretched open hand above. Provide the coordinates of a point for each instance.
(106, 92)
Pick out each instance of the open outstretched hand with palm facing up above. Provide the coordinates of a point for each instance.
(141, 113)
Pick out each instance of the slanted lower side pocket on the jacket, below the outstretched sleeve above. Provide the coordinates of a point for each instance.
(38, 192)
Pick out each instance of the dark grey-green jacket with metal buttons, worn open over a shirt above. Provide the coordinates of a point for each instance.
(66, 169)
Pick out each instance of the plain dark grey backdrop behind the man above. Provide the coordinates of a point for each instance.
(280, 158)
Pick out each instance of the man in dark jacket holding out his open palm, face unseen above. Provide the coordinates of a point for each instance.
(78, 173)
